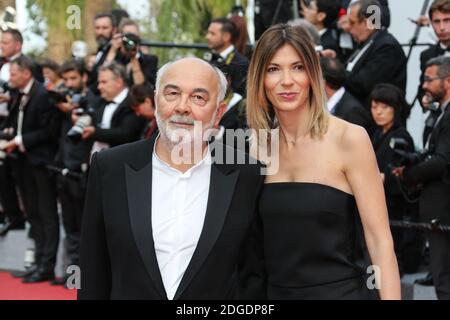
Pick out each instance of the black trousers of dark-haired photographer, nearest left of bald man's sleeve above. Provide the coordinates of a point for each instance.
(71, 192)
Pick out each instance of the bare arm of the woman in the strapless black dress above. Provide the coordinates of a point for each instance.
(363, 175)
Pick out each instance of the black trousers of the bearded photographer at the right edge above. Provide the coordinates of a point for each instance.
(440, 263)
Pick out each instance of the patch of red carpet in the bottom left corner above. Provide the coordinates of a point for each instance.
(13, 289)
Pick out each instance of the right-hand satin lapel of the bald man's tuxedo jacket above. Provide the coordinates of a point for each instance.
(220, 195)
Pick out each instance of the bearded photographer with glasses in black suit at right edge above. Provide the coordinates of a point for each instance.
(431, 173)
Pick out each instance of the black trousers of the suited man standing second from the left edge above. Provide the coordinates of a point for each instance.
(38, 190)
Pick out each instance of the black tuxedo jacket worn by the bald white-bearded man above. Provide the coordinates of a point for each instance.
(117, 254)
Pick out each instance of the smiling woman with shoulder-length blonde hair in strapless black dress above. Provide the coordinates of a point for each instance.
(327, 173)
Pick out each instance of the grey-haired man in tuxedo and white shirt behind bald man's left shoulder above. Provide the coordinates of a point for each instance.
(114, 122)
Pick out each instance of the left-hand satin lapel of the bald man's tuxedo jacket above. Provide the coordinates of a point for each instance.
(139, 190)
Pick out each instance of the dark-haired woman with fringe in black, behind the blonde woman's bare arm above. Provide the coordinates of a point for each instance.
(389, 108)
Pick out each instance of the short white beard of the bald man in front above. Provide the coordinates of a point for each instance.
(173, 135)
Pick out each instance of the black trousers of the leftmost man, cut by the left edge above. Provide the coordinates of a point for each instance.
(8, 194)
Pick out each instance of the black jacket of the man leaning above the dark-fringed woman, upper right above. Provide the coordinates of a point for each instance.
(384, 61)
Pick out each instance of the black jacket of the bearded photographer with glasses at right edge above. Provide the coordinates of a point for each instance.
(433, 174)
